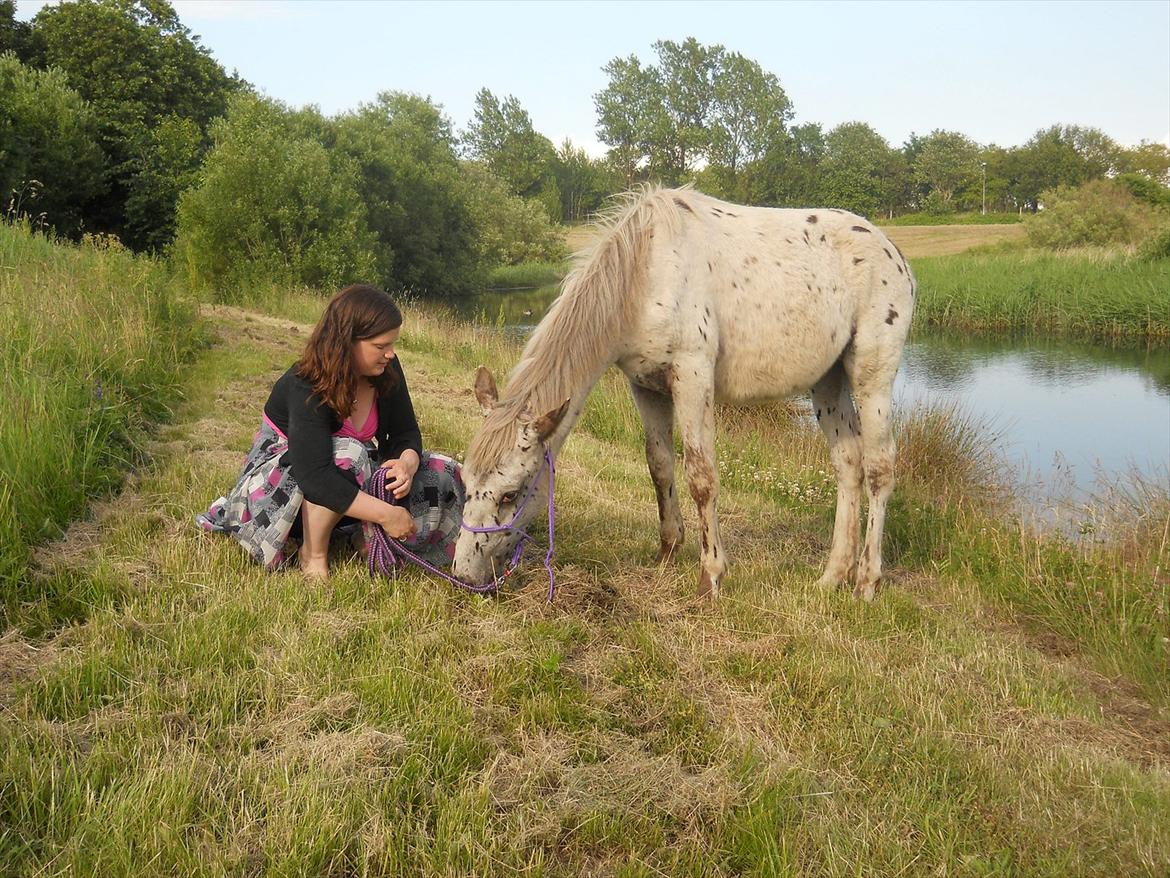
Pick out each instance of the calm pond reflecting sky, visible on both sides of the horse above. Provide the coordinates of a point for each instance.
(1072, 417)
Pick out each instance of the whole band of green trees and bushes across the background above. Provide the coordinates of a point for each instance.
(114, 120)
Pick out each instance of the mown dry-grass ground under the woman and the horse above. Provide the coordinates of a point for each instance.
(990, 715)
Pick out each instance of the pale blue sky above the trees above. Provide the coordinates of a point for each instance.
(996, 72)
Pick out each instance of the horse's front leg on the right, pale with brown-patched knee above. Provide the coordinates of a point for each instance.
(694, 403)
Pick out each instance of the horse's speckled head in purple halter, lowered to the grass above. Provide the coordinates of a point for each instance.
(505, 476)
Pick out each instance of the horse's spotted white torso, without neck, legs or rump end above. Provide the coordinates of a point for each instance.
(772, 297)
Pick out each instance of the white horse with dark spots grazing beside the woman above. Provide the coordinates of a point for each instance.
(699, 303)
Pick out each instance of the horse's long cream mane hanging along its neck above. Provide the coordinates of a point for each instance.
(576, 339)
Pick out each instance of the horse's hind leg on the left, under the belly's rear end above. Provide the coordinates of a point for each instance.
(838, 420)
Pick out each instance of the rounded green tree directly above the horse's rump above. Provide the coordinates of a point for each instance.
(859, 173)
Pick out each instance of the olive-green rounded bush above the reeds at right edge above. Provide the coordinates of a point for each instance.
(1102, 212)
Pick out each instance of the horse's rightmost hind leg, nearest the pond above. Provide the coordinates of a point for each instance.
(873, 388)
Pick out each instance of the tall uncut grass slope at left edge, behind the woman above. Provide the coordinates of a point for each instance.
(95, 344)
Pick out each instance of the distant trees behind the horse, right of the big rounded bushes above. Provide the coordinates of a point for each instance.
(712, 118)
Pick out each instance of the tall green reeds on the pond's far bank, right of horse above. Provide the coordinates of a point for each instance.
(1091, 294)
